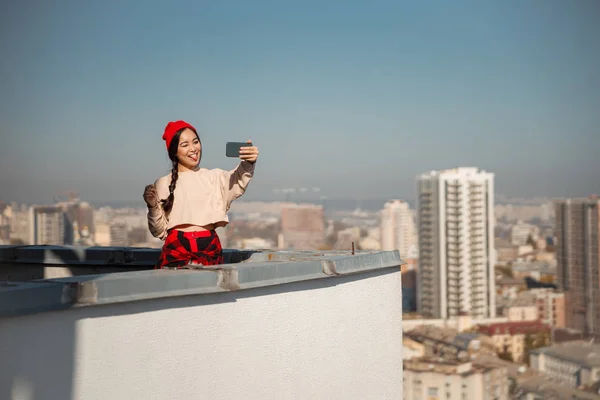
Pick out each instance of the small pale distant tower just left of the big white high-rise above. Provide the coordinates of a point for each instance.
(397, 227)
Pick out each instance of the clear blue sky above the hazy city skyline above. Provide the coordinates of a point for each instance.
(354, 97)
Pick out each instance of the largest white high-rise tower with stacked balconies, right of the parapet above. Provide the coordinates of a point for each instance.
(456, 243)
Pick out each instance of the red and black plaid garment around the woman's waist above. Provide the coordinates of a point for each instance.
(183, 248)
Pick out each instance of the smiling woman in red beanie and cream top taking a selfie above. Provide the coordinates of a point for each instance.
(186, 206)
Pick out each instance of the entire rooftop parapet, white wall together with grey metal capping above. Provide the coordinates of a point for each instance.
(273, 325)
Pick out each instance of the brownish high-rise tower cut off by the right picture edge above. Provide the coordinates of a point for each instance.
(577, 254)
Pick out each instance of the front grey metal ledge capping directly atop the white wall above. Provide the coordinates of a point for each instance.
(261, 269)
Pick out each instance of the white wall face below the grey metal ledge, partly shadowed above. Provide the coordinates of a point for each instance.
(322, 339)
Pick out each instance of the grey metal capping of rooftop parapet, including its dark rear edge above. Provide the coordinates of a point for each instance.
(242, 270)
